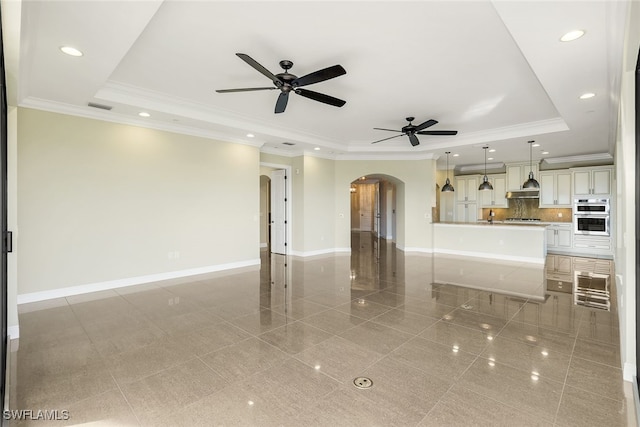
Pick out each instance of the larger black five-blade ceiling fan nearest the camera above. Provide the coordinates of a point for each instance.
(288, 83)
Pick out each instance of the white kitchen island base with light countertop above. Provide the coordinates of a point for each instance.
(498, 241)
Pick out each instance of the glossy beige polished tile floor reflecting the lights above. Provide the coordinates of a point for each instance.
(281, 345)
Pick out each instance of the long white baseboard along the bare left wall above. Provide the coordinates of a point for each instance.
(130, 281)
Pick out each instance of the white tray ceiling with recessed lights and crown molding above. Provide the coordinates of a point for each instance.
(495, 71)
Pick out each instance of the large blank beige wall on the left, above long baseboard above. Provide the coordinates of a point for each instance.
(103, 202)
